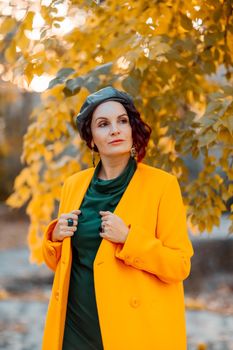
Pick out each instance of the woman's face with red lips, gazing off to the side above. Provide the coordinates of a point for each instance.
(110, 122)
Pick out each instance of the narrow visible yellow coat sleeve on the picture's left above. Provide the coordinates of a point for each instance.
(52, 250)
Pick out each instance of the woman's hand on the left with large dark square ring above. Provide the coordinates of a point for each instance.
(62, 230)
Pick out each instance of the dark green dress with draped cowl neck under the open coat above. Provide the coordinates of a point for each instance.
(82, 330)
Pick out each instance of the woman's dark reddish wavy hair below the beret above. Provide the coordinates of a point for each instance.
(140, 131)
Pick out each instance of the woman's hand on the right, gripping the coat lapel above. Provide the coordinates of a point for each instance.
(115, 229)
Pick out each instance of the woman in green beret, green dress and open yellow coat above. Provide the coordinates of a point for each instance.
(119, 246)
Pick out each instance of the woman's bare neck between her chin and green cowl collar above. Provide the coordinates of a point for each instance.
(112, 167)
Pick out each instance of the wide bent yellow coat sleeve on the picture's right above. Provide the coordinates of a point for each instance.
(167, 253)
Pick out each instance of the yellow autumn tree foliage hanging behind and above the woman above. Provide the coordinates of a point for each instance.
(175, 59)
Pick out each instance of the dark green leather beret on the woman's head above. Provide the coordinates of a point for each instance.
(108, 93)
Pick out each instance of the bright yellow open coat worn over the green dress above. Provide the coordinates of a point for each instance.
(138, 284)
